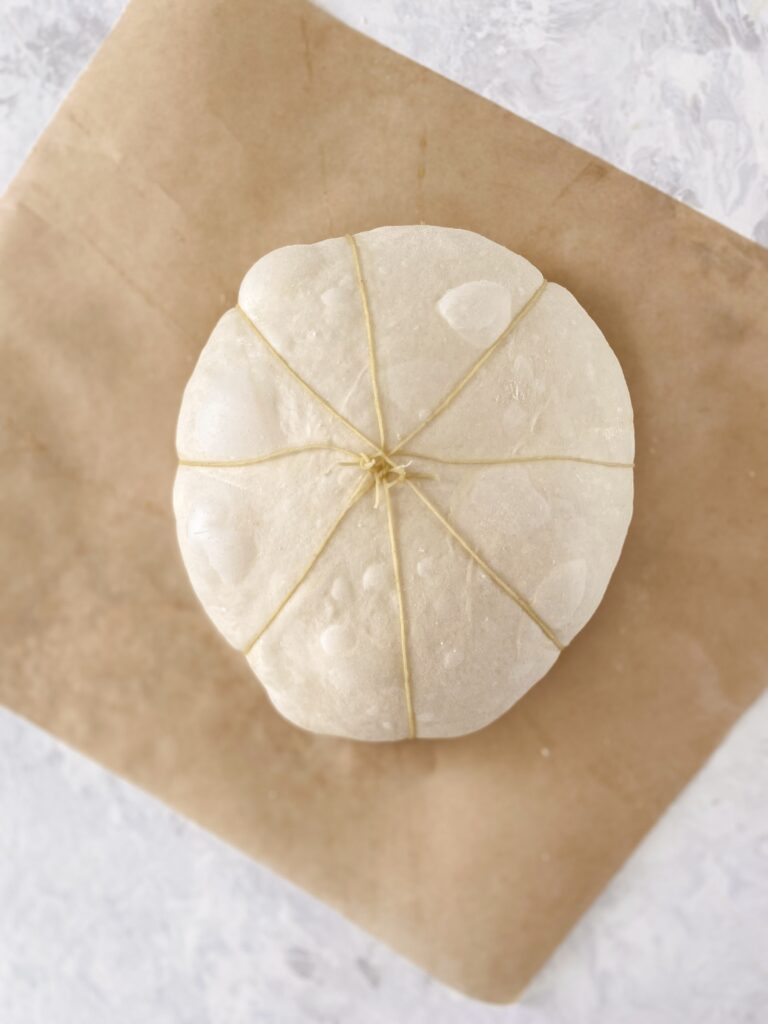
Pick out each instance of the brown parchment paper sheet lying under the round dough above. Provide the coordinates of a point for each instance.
(204, 136)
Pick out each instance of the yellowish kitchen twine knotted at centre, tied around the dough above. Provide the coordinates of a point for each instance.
(381, 474)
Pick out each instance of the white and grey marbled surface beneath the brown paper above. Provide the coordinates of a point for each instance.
(114, 909)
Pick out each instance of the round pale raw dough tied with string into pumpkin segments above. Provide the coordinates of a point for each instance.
(406, 479)
